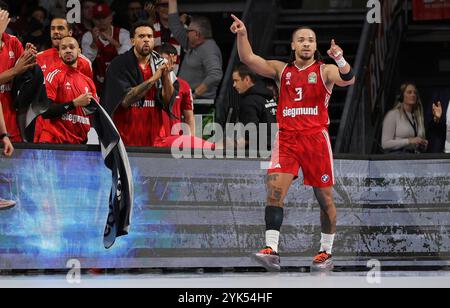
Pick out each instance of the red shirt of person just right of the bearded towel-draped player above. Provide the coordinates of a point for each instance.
(183, 102)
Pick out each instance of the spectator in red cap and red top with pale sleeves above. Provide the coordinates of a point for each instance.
(104, 43)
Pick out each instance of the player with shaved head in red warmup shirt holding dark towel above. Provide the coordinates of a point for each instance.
(68, 91)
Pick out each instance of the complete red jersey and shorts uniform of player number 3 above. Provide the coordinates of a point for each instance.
(303, 140)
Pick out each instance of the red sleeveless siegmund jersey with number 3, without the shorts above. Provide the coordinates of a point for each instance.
(304, 99)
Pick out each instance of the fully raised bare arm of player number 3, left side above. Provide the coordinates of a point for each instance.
(269, 69)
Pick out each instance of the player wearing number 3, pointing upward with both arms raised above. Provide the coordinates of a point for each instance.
(306, 85)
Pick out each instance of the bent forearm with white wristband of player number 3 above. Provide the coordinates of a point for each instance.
(342, 74)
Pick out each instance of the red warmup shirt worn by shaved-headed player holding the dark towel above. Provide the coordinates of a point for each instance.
(63, 85)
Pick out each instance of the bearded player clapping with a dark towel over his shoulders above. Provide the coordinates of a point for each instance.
(142, 125)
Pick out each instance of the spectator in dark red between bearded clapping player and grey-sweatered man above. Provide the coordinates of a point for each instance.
(159, 17)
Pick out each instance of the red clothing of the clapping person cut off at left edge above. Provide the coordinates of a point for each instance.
(10, 52)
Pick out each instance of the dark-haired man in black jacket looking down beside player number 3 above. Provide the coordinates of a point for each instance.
(258, 106)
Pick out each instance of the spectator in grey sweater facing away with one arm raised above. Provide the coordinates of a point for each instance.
(202, 63)
